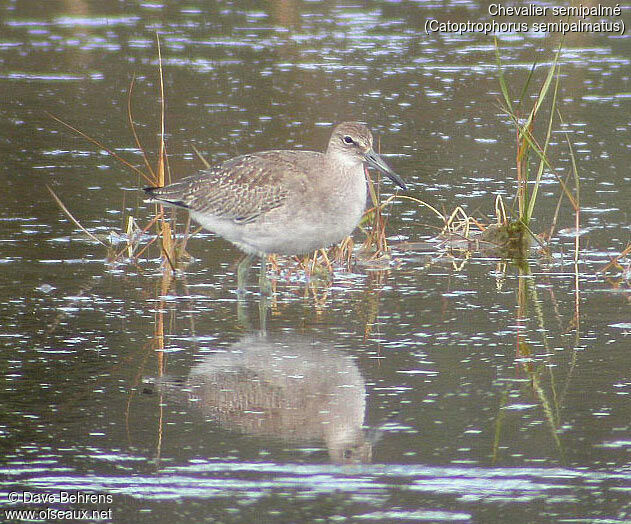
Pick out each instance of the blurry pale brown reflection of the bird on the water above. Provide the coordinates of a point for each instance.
(290, 388)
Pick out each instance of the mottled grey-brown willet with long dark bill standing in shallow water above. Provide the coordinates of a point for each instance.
(284, 202)
